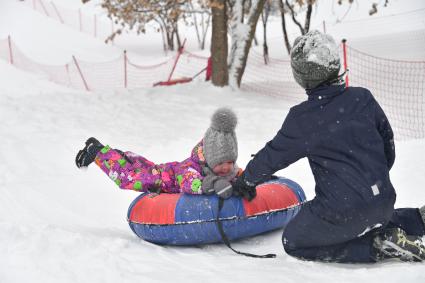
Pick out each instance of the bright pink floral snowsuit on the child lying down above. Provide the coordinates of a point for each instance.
(134, 172)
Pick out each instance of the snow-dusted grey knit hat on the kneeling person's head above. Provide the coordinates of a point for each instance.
(314, 59)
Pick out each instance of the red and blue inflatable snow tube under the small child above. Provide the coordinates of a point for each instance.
(183, 219)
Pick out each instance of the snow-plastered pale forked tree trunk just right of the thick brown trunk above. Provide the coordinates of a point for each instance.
(242, 35)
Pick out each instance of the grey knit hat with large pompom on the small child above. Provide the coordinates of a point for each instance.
(220, 143)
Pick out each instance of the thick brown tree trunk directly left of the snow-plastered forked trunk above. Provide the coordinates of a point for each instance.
(220, 75)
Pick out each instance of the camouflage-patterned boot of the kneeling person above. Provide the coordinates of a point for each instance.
(394, 243)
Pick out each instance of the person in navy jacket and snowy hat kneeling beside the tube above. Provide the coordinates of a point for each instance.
(349, 144)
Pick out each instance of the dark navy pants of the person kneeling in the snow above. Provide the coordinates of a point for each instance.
(311, 237)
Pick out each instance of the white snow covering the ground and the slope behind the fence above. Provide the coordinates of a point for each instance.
(61, 224)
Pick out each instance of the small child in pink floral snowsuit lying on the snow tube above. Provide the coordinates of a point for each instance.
(210, 168)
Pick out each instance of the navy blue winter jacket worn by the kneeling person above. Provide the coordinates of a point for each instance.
(349, 144)
